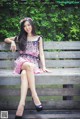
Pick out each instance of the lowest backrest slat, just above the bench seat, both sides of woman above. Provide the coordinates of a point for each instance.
(49, 63)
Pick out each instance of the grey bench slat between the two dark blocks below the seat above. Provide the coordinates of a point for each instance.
(43, 92)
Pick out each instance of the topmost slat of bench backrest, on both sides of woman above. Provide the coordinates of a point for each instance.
(73, 45)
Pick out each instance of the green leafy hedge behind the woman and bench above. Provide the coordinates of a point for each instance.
(53, 22)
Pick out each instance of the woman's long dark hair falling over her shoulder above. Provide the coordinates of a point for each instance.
(22, 38)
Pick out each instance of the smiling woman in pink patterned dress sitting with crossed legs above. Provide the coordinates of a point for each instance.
(30, 49)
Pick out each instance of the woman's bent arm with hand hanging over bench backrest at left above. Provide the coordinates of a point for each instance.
(12, 41)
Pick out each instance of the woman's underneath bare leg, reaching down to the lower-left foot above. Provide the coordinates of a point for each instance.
(24, 88)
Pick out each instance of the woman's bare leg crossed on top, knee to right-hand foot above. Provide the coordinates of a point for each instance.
(31, 80)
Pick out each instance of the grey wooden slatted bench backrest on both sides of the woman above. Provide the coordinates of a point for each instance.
(58, 55)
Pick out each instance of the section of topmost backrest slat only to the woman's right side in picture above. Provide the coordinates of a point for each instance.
(66, 45)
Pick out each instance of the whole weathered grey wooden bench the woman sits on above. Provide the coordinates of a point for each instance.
(59, 90)
